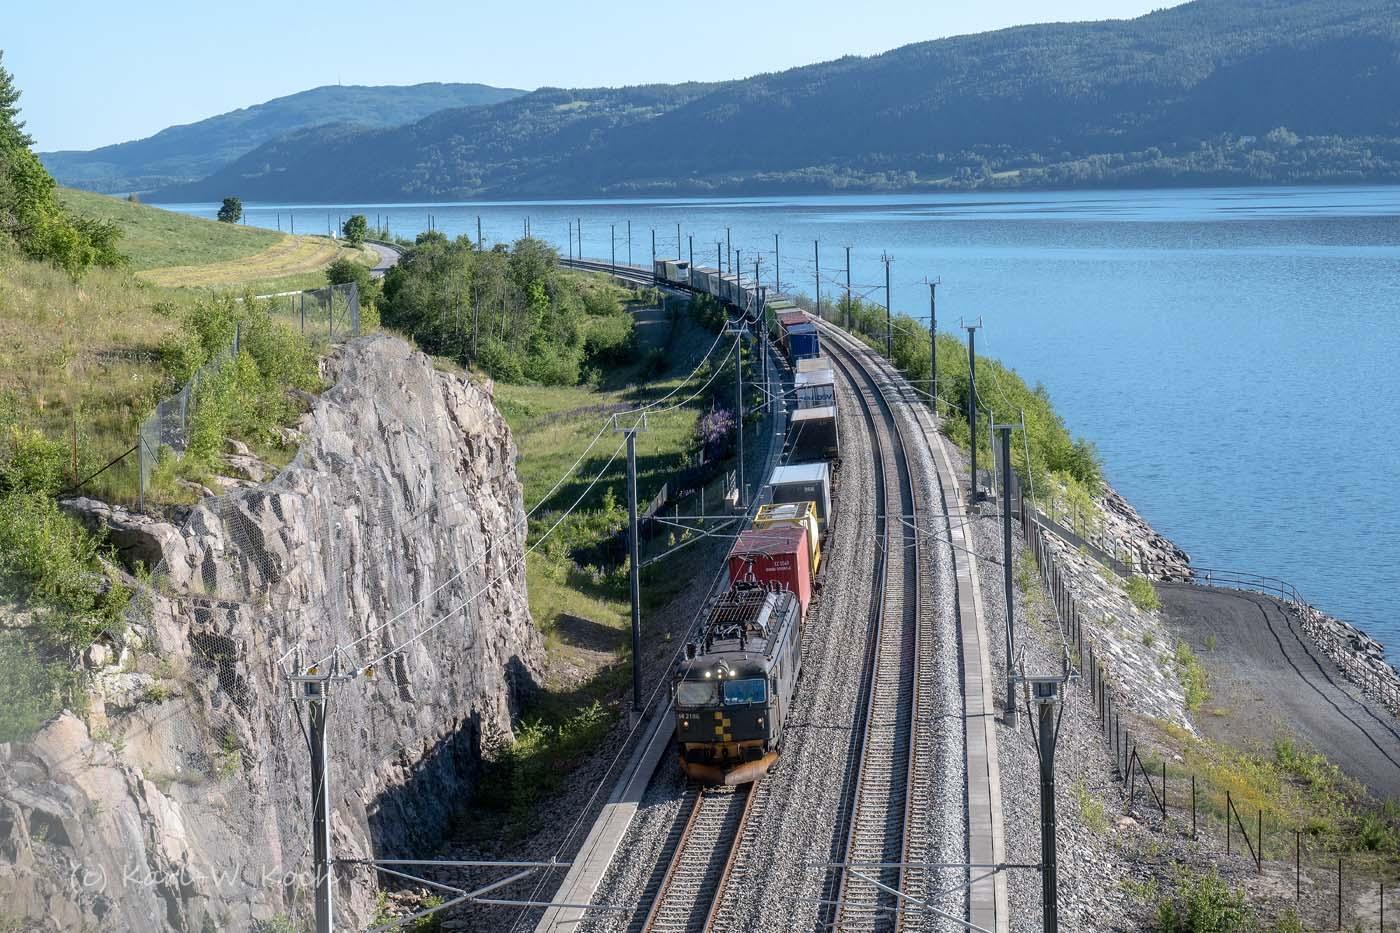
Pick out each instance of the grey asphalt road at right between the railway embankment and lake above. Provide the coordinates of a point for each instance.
(1272, 680)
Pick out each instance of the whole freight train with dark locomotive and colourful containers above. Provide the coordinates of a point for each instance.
(733, 689)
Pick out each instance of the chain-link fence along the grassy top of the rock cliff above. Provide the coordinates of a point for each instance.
(331, 313)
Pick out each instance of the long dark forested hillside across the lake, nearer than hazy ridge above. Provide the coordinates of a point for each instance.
(1214, 92)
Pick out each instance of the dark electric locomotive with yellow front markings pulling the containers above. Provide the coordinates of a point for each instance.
(734, 687)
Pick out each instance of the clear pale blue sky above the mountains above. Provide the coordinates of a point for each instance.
(99, 72)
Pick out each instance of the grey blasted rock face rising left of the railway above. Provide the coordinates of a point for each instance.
(183, 803)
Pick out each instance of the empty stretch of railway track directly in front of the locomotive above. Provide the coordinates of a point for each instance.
(701, 865)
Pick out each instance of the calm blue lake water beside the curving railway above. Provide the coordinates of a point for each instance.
(1235, 354)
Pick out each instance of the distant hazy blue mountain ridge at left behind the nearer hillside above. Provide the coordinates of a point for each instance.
(192, 152)
